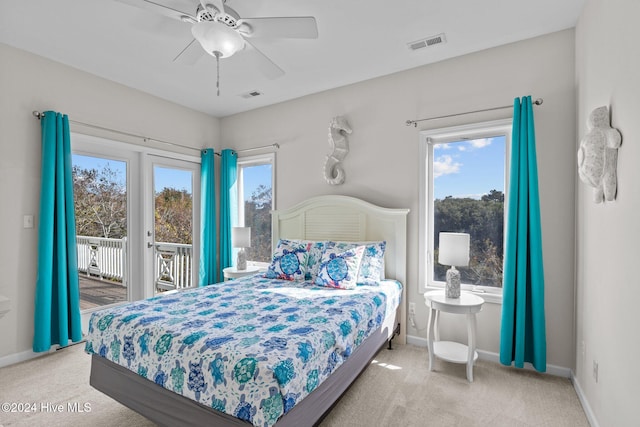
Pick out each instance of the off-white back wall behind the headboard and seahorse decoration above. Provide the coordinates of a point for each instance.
(382, 166)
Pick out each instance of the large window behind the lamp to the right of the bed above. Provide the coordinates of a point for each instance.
(463, 187)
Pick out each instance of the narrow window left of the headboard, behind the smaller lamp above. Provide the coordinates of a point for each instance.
(255, 200)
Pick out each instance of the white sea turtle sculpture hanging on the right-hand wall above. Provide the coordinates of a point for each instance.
(598, 155)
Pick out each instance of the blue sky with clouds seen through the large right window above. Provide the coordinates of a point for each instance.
(469, 168)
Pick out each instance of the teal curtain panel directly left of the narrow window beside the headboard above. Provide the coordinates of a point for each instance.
(228, 205)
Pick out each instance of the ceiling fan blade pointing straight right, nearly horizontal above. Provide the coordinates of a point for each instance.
(295, 27)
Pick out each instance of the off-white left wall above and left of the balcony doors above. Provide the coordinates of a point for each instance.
(27, 83)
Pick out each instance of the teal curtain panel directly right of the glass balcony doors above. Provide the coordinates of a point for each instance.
(207, 271)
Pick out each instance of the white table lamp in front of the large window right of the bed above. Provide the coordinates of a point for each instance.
(454, 251)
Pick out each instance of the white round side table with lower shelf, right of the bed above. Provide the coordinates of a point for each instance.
(468, 304)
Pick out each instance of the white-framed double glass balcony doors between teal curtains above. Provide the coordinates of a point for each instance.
(137, 214)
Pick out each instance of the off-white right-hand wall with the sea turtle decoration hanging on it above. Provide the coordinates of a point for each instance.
(607, 315)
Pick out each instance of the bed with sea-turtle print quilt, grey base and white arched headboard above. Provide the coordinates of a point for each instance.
(242, 375)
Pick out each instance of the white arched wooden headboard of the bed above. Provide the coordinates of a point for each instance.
(344, 218)
